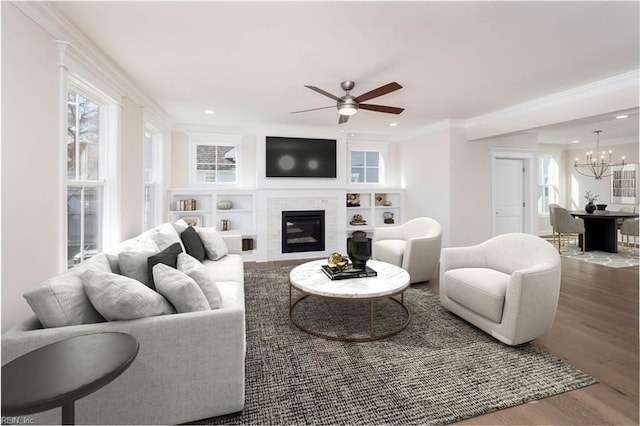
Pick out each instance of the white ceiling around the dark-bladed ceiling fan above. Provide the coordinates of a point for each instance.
(249, 61)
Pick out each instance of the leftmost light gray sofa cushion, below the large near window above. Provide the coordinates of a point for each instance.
(61, 300)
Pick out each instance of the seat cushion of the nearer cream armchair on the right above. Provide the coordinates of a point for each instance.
(480, 290)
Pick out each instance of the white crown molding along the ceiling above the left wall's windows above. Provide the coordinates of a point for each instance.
(89, 56)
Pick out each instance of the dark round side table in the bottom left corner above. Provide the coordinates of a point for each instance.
(63, 372)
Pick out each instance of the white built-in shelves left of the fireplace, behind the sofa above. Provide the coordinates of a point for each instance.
(211, 210)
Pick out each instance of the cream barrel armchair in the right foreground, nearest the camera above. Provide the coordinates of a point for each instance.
(507, 286)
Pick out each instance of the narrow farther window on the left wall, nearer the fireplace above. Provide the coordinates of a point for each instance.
(152, 144)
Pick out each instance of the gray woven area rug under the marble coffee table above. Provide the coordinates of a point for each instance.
(438, 370)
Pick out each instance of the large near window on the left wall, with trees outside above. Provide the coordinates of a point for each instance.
(85, 183)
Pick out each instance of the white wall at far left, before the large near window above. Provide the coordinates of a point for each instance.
(31, 162)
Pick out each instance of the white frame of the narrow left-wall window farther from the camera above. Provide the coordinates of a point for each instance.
(154, 185)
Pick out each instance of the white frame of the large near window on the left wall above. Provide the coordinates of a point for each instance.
(108, 150)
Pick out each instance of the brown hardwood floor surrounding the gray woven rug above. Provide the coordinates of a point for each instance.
(595, 330)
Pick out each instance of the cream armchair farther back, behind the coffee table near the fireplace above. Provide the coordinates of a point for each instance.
(414, 246)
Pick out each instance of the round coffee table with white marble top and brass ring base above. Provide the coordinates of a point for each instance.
(310, 280)
